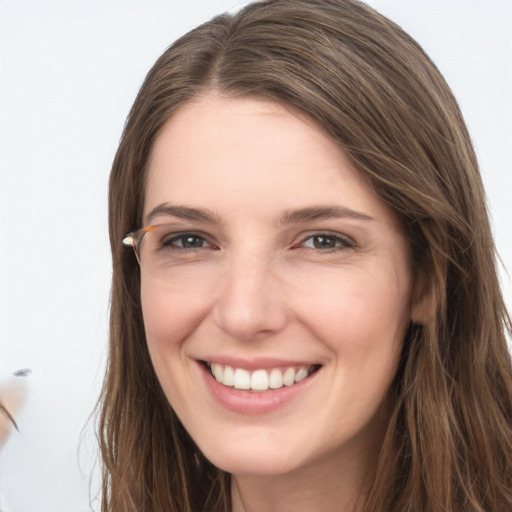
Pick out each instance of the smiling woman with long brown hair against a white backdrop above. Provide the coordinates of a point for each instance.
(314, 321)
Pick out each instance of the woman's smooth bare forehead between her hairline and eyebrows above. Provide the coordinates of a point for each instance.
(230, 154)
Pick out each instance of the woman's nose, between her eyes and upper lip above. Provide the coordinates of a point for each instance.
(249, 302)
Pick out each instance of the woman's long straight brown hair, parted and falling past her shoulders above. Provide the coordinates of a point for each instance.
(373, 90)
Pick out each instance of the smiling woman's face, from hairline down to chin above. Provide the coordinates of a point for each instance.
(281, 271)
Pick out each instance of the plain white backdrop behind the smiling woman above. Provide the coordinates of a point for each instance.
(69, 71)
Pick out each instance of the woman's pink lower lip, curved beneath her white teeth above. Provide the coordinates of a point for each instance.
(253, 403)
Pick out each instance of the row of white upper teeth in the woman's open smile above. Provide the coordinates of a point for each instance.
(258, 380)
